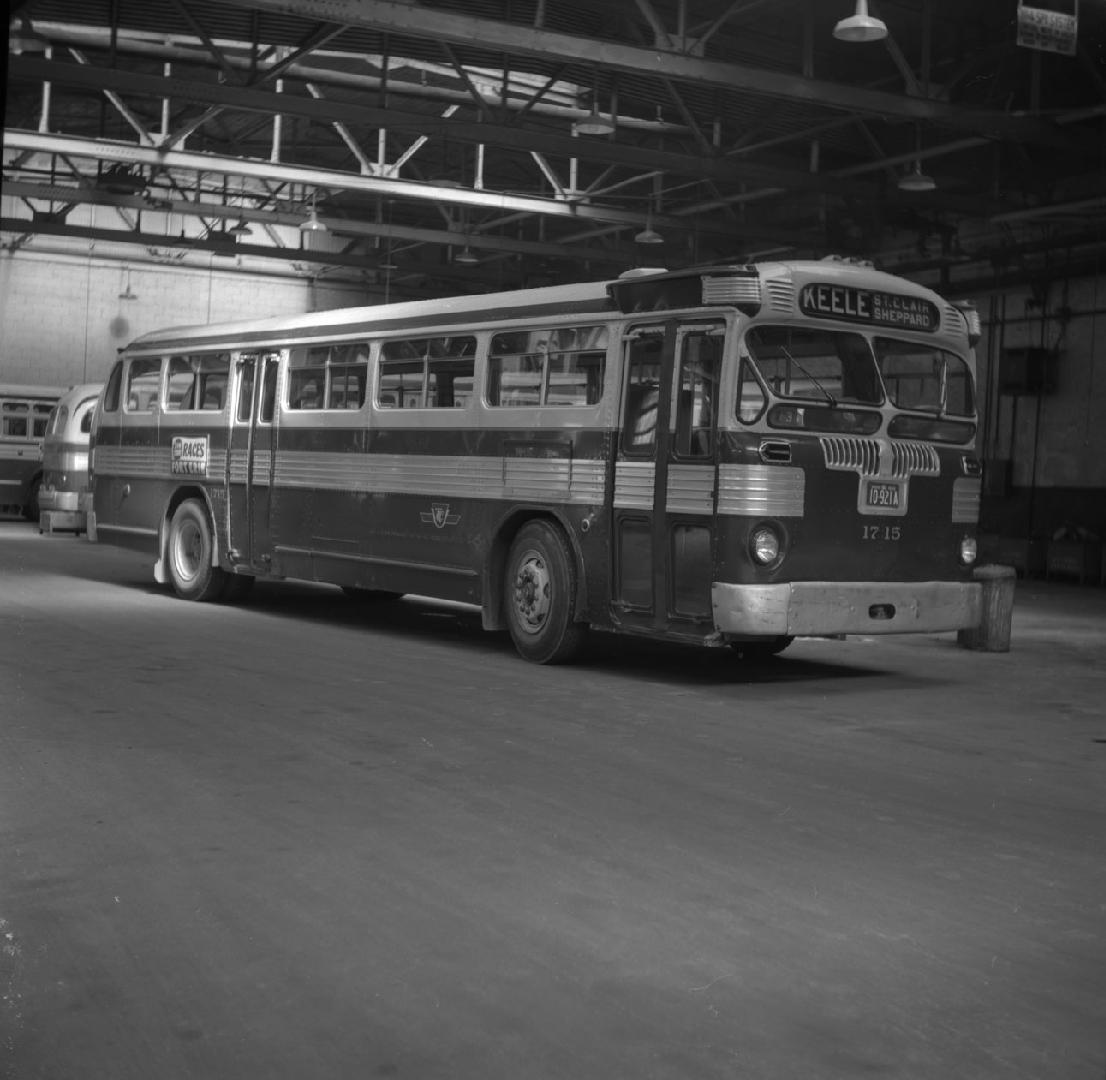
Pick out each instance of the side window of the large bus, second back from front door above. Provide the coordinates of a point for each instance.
(427, 372)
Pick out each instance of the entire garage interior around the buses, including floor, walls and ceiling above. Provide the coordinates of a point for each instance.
(294, 840)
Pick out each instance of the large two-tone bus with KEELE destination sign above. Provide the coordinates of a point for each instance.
(732, 455)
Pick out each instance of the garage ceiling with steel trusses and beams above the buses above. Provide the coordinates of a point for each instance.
(413, 132)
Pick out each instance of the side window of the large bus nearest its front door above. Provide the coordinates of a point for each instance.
(560, 367)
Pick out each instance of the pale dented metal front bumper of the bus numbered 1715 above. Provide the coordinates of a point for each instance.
(818, 608)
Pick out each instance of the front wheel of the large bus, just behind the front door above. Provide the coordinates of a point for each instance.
(540, 595)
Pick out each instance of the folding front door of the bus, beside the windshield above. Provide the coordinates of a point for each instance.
(666, 479)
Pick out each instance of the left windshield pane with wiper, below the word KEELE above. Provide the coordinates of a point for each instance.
(822, 366)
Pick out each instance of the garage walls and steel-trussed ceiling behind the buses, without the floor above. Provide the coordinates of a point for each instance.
(182, 162)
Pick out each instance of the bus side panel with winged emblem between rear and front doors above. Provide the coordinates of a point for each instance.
(416, 511)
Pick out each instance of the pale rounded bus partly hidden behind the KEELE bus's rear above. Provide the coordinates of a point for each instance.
(65, 492)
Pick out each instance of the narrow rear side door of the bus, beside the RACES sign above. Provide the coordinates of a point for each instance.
(251, 461)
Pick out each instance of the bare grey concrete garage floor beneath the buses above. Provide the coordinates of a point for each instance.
(300, 839)
